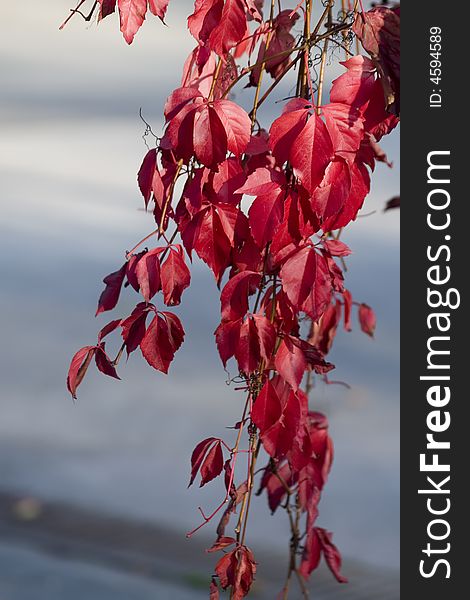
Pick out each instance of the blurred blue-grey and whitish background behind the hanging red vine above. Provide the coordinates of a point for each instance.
(93, 498)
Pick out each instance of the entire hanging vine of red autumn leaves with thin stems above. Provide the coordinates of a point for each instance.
(263, 206)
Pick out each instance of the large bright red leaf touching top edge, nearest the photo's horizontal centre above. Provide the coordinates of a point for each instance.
(231, 28)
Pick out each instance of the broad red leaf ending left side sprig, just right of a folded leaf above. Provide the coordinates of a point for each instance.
(162, 339)
